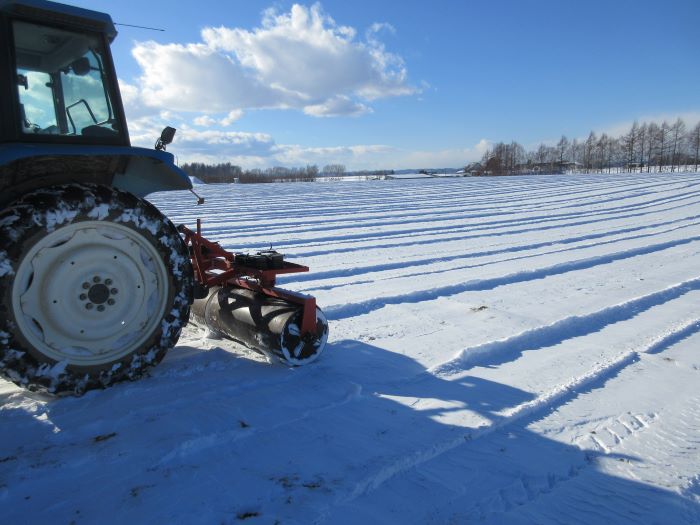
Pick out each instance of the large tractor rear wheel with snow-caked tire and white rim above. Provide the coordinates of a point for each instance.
(95, 286)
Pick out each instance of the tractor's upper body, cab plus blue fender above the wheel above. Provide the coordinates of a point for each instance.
(61, 114)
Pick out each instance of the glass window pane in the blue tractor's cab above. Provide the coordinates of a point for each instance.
(62, 83)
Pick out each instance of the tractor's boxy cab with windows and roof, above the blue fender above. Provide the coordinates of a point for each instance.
(63, 86)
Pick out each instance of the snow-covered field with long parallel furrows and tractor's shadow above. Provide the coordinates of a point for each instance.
(502, 350)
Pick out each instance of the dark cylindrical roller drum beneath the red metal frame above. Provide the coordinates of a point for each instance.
(269, 325)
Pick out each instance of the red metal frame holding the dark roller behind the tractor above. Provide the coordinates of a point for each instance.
(214, 266)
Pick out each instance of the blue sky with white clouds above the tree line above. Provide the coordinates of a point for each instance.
(398, 84)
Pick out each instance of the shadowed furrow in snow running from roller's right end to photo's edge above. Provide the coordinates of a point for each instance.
(344, 311)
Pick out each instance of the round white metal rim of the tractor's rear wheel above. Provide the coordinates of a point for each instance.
(90, 293)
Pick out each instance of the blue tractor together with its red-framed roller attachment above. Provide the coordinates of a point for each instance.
(96, 283)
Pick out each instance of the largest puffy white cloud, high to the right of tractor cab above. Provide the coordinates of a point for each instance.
(299, 59)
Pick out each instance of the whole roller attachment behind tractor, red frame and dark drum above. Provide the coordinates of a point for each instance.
(236, 297)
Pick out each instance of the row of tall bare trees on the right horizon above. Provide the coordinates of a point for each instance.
(649, 147)
